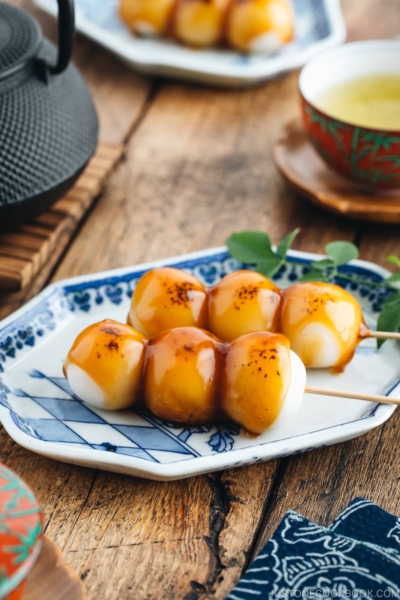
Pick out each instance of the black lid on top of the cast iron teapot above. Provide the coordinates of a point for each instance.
(20, 39)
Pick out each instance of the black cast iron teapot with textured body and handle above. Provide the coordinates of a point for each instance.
(48, 123)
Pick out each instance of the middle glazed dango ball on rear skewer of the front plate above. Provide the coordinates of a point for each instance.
(242, 302)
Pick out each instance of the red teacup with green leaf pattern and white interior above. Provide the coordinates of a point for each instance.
(369, 156)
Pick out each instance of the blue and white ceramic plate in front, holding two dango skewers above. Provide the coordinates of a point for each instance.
(39, 411)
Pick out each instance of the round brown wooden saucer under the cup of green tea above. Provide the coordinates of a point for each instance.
(308, 174)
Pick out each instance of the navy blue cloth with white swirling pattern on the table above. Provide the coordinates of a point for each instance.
(307, 561)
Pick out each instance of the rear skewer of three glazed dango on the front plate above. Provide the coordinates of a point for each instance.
(323, 322)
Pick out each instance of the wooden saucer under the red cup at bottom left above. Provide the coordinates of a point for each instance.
(52, 578)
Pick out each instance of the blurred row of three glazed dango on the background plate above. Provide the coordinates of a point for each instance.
(251, 26)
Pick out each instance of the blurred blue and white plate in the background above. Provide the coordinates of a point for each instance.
(318, 25)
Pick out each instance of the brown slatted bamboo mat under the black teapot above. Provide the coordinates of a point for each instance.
(38, 245)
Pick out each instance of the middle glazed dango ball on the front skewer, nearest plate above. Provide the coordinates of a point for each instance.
(181, 375)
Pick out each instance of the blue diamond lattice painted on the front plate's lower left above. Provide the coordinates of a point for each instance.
(70, 421)
